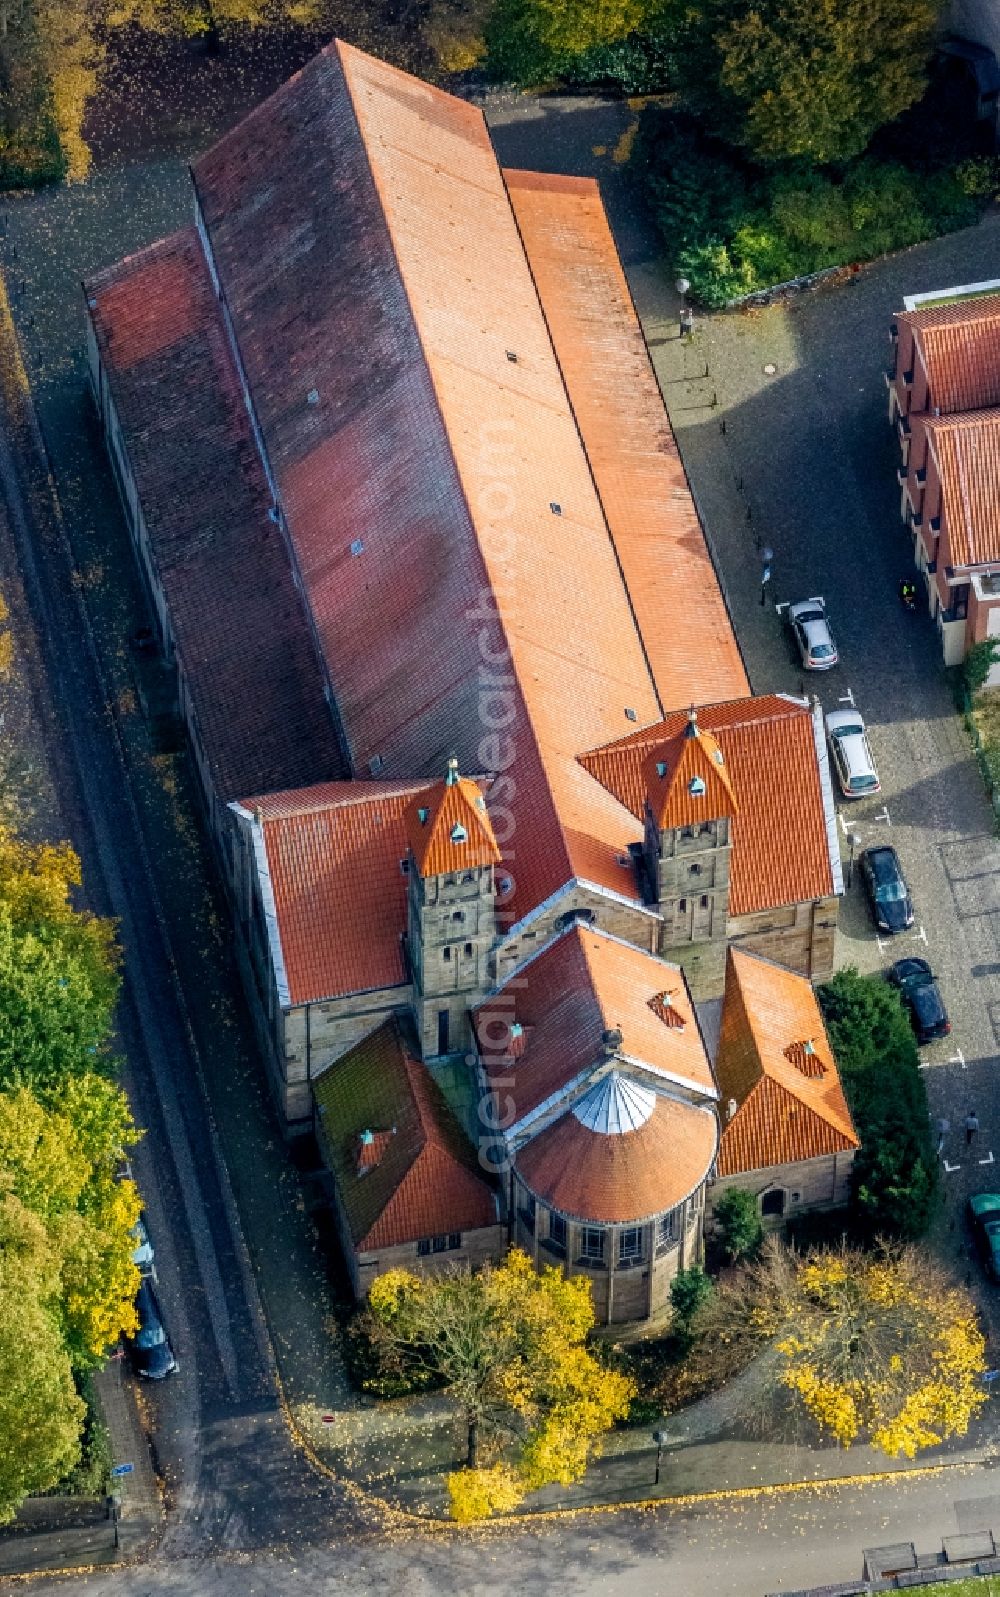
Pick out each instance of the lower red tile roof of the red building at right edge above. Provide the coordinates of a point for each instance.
(967, 450)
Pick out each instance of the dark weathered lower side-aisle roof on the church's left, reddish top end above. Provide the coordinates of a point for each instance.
(239, 624)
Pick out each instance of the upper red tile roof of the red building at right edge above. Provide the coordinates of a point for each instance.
(961, 349)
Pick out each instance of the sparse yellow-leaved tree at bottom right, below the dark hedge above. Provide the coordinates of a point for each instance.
(875, 1347)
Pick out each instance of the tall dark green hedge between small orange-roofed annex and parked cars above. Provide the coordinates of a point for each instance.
(895, 1170)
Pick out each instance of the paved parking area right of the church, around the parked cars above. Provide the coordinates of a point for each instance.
(782, 419)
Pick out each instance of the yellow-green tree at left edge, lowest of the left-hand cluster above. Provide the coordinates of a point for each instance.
(41, 1413)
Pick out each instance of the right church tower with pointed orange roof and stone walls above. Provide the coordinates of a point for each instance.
(689, 815)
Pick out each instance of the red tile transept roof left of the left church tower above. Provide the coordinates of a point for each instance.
(335, 857)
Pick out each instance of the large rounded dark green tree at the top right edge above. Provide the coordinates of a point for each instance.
(808, 79)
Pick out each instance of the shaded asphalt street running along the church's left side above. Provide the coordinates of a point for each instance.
(234, 1478)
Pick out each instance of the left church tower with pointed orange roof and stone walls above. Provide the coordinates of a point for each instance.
(451, 914)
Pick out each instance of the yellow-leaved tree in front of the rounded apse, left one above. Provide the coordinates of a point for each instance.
(510, 1347)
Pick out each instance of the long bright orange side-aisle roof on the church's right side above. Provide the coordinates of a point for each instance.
(651, 513)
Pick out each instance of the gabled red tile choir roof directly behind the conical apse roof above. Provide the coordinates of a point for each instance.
(568, 997)
